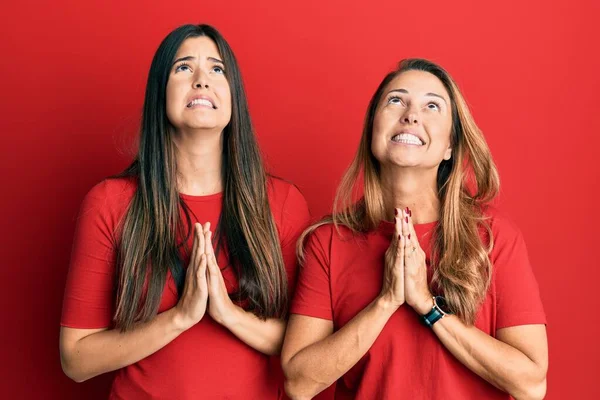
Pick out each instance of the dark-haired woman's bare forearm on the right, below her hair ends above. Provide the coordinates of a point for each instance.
(265, 336)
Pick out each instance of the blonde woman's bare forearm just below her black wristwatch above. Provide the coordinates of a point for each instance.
(500, 364)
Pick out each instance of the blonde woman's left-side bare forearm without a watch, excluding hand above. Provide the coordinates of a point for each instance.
(317, 366)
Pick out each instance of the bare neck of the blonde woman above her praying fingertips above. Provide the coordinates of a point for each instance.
(412, 188)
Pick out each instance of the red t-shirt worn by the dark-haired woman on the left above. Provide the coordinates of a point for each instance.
(206, 361)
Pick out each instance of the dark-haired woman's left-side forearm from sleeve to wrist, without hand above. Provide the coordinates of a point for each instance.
(110, 350)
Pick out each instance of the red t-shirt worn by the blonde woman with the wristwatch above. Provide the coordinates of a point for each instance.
(343, 274)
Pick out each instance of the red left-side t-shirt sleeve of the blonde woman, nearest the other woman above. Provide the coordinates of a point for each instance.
(313, 291)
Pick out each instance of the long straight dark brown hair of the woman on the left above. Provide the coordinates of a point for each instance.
(158, 222)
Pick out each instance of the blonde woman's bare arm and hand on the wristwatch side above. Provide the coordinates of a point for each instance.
(515, 362)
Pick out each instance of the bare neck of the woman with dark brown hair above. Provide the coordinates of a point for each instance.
(199, 157)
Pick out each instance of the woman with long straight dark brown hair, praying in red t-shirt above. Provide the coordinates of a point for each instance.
(182, 265)
